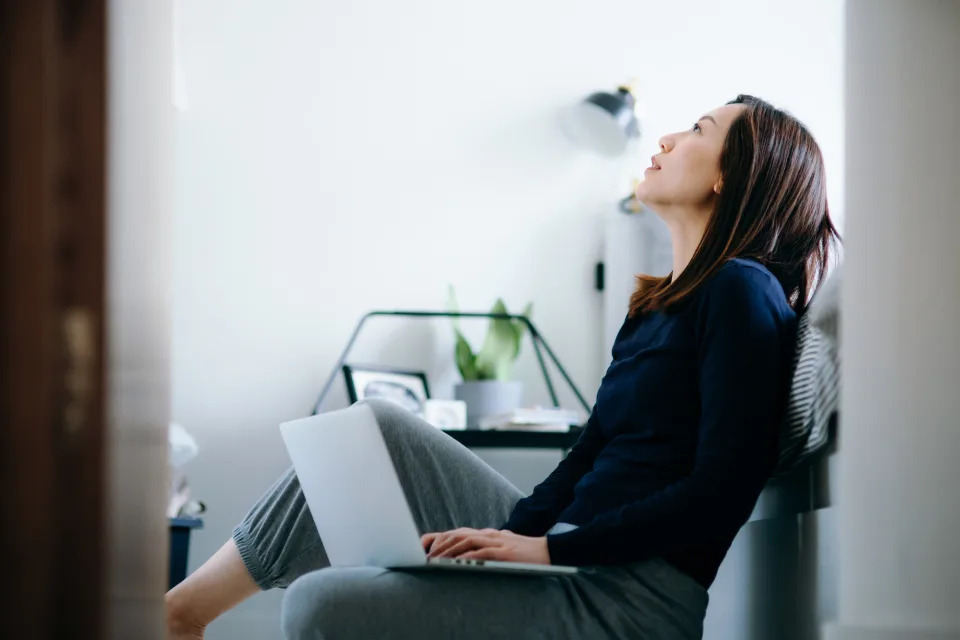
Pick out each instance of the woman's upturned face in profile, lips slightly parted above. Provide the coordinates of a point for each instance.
(686, 172)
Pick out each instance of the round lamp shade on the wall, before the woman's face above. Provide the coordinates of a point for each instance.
(604, 121)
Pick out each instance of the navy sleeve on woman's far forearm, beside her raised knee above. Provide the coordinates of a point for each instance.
(535, 514)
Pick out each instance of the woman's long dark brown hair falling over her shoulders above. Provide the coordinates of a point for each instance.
(772, 207)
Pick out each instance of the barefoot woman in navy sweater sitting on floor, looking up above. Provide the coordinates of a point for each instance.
(679, 444)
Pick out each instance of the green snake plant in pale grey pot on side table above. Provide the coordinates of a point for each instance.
(487, 387)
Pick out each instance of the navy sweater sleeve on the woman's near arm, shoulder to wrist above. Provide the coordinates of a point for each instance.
(739, 326)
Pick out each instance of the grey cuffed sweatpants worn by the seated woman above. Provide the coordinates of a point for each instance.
(447, 487)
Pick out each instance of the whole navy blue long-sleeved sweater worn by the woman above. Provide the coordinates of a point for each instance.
(683, 434)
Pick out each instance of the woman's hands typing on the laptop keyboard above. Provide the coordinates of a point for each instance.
(486, 544)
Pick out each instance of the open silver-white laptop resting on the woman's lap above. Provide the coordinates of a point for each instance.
(356, 499)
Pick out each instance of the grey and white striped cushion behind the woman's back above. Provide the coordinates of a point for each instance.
(814, 397)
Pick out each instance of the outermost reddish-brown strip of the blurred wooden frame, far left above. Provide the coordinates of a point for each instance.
(26, 325)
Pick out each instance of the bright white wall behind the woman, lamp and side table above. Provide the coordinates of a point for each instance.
(341, 156)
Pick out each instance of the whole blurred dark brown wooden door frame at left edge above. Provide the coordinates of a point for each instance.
(53, 72)
